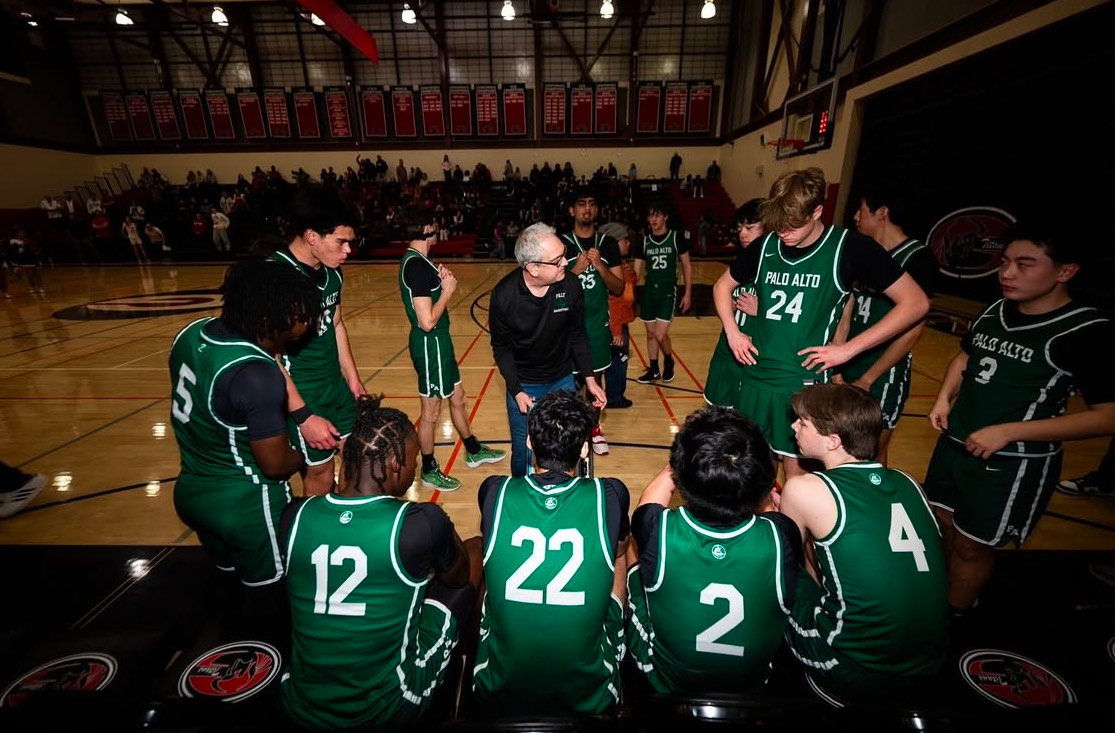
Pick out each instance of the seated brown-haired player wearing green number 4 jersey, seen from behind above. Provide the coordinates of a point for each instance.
(877, 628)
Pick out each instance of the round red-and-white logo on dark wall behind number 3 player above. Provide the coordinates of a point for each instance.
(968, 243)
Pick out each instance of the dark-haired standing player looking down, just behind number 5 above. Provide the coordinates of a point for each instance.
(325, 377)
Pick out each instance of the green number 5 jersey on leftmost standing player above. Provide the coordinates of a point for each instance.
(211, 449)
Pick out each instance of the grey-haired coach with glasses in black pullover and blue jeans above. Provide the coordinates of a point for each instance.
(538, 332)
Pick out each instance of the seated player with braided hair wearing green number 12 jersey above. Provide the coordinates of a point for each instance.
(373, 630)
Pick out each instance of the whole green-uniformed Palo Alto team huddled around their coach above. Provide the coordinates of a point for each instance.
(846, 573)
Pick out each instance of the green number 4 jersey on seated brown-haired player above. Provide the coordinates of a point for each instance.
(885, 603)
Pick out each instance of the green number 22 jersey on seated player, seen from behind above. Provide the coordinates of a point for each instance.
(544, 643)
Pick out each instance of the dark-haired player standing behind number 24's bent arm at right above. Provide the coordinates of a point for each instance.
(885, 370)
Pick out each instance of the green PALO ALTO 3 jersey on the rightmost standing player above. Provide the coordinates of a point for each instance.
(1011, 377)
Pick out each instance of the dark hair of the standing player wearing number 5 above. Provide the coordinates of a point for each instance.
(264, 300)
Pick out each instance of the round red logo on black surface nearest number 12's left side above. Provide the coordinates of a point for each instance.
(231, 673)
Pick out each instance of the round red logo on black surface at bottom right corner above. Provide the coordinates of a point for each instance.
(1013, 681)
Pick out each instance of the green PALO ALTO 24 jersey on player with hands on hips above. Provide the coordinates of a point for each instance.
(801, 303)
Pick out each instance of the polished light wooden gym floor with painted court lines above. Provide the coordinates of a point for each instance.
(86, 402)
